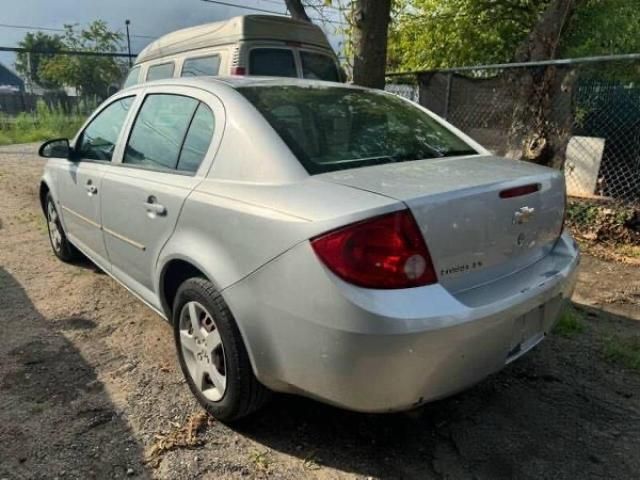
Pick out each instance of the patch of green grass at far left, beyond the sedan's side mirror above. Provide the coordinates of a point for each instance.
(45, 123)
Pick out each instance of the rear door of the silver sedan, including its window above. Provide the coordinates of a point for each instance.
(168, 151)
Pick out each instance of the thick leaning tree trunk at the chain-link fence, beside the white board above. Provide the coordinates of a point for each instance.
(542, 115)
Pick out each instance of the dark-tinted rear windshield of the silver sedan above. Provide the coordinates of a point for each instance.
(333, 128)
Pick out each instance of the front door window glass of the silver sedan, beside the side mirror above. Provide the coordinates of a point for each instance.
(98, 140)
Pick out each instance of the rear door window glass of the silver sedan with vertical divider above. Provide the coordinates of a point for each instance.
(170, 132)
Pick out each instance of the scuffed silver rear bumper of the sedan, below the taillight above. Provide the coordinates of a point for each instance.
(308, 332)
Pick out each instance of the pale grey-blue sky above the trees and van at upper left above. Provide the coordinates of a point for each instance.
(148, 17)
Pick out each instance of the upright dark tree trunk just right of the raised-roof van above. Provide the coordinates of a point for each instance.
(370, 29)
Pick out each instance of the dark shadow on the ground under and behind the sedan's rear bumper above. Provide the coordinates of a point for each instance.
(560, 412)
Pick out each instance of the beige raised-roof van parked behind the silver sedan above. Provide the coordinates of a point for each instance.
(246, 45)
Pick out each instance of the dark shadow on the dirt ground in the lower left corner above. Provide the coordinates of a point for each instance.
(56, 419)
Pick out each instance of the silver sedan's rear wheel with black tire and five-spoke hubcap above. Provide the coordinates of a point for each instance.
(210, 360)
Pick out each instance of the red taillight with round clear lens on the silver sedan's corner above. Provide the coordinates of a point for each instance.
(384, 252)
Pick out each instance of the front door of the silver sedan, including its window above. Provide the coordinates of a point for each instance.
(79, 179)
